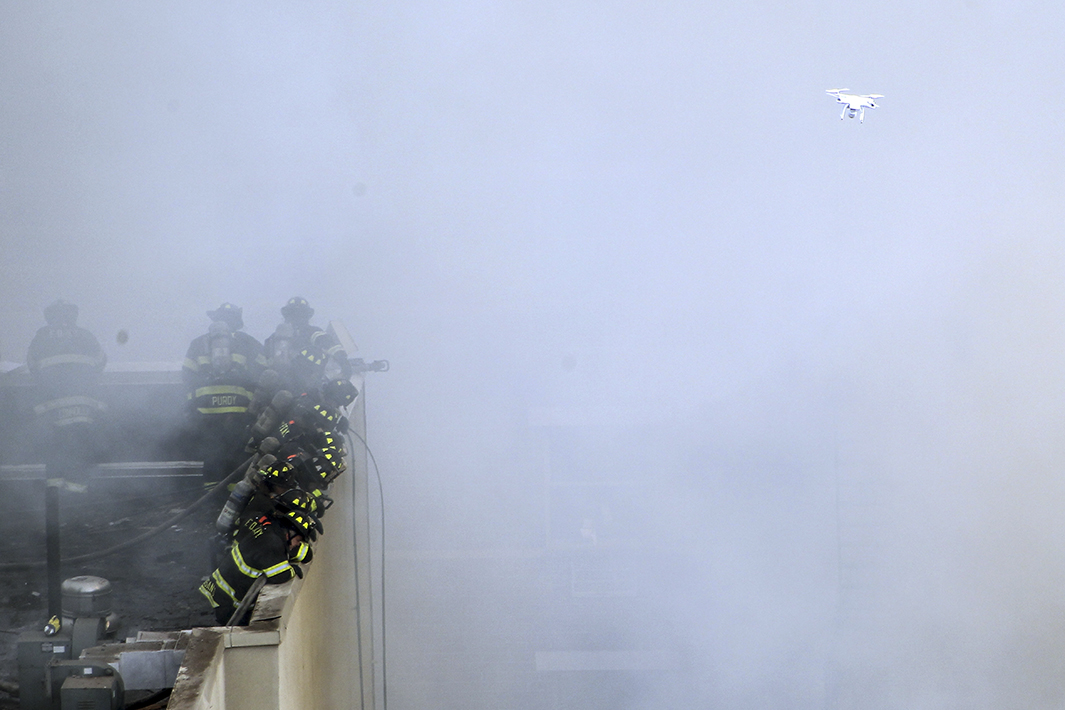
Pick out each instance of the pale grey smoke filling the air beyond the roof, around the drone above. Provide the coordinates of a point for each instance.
(620, 244)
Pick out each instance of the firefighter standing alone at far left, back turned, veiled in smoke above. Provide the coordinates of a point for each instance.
(67, 362)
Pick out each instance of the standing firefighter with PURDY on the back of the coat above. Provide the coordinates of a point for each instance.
(221, 372)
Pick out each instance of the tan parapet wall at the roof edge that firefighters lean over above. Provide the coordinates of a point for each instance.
(309, 646)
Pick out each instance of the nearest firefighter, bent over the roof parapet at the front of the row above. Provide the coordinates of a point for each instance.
(272, 539)
